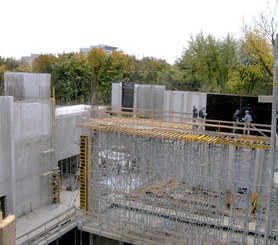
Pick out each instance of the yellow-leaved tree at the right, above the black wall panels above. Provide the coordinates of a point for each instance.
(253, 73)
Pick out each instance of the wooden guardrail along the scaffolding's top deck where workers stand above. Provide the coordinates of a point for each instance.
(158, 118)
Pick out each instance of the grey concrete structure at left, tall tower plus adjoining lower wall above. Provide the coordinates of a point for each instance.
(29, 149)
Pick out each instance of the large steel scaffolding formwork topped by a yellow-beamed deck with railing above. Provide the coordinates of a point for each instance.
(152, 180)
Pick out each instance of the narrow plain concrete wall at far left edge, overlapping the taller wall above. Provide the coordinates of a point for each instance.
(7, 160)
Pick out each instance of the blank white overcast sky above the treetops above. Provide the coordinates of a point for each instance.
(155, 28)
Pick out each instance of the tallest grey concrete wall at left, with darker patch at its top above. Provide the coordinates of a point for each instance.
(32, 129)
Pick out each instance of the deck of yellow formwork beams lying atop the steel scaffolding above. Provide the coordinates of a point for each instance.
(173, 131)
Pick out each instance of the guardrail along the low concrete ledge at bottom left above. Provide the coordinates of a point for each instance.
(43, 231)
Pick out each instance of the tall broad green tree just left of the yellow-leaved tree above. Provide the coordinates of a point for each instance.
(205, 63)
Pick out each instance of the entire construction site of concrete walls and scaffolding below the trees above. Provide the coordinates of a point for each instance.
(138, 173)
